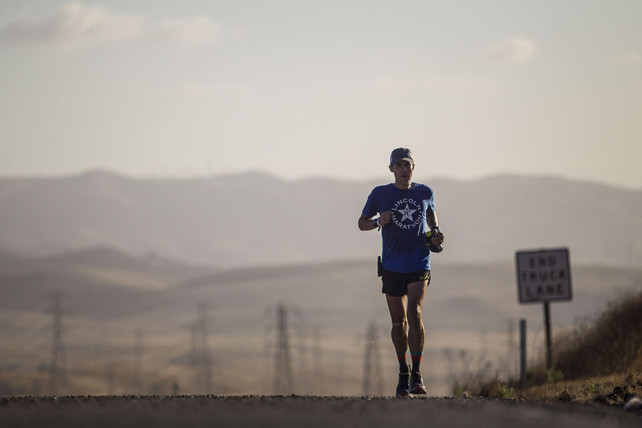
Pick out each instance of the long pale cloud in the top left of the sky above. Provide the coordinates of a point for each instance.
(77, 25)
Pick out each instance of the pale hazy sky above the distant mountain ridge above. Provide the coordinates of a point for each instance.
(328, 88)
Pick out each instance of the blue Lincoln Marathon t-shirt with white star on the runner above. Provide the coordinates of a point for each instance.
(403, 239)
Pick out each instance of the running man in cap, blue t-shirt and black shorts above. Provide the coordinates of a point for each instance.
(404, 211)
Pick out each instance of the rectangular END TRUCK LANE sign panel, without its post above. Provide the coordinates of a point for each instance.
(543, 275)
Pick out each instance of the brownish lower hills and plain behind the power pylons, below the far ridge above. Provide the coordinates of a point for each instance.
(106, 297)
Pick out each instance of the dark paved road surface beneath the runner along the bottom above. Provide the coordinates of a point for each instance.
(296, 411)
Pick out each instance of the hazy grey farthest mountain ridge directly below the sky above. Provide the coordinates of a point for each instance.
(257, 219)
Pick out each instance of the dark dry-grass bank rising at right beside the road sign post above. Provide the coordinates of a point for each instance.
(599, 359)
